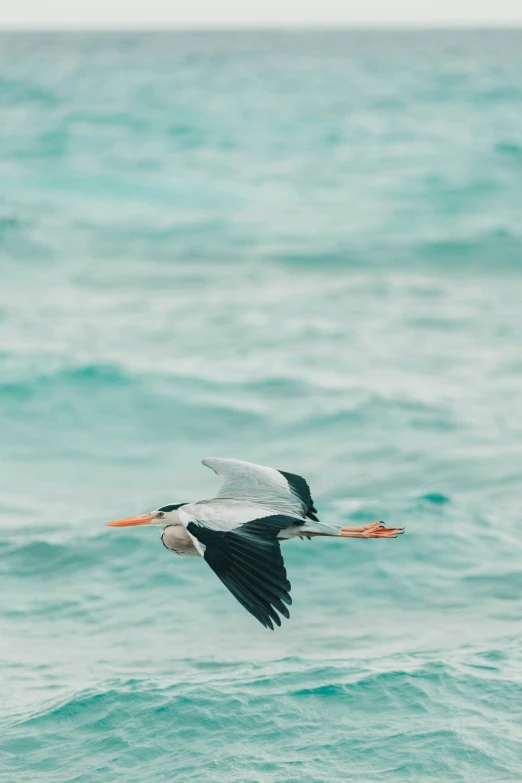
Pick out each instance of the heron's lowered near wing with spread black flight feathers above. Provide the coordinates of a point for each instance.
(249, 562)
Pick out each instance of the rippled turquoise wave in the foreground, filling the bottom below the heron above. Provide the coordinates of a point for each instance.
(339, 721)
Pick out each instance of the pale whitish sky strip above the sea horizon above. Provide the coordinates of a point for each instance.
(252, 13)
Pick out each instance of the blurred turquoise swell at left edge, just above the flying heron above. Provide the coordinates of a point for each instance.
(101, 395)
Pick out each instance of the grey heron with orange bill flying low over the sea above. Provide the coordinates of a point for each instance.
(239, 532)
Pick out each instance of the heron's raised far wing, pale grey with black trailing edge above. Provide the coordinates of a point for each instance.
(284, 493)
